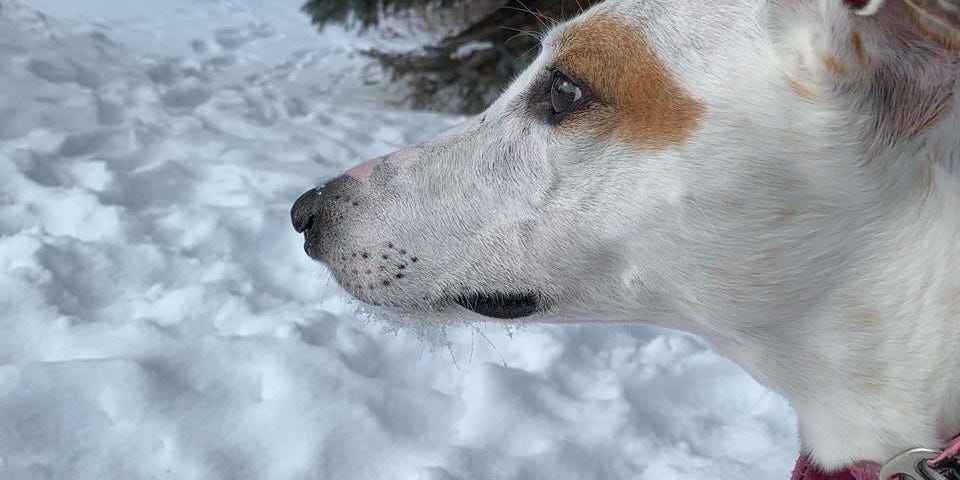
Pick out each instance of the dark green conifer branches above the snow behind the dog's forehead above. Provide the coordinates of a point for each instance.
(465, 71)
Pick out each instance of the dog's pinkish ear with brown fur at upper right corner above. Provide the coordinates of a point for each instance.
(895, 63)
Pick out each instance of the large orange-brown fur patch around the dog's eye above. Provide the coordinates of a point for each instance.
(639, 100)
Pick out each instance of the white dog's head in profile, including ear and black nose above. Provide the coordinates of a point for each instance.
(694, 164)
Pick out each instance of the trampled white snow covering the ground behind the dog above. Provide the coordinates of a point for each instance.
(160, 319)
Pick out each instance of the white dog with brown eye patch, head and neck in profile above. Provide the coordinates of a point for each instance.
(779, 177)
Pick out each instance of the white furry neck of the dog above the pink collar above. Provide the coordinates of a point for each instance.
(875, 369)
